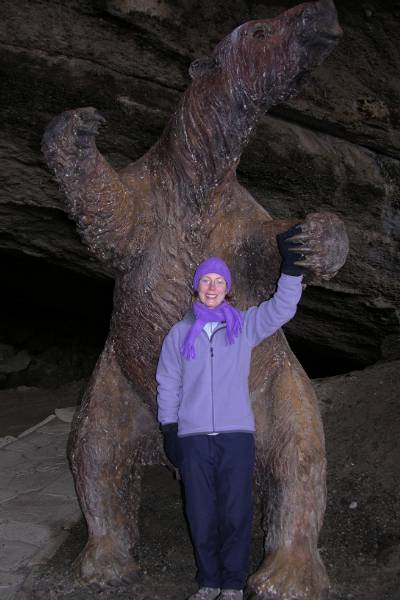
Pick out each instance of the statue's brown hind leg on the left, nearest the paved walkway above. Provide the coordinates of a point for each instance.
(110, 436)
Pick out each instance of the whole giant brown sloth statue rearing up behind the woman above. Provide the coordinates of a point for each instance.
(150, 224)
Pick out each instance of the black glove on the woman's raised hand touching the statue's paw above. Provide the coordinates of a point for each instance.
(293, 248)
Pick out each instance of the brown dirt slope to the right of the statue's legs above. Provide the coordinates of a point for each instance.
(360, 533)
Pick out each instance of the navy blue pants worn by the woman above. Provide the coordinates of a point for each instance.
(217, 474)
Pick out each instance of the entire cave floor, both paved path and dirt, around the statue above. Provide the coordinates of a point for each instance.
(359, 541)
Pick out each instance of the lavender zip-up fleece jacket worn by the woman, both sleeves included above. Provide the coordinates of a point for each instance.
(210, 393)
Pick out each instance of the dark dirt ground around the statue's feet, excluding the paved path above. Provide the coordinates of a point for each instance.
(360, 540)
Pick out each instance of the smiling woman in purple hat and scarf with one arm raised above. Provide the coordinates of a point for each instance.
(206, 417)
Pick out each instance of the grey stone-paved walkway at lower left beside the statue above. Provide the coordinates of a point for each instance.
(38, 504)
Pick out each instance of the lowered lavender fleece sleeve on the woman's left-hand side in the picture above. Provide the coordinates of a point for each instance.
(169, 380)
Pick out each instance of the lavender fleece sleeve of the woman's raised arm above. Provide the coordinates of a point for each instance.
(263, 320)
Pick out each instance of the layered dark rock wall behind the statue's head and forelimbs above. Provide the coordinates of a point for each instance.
(335, 147)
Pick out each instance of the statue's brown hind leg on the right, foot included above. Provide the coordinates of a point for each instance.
(291, 471)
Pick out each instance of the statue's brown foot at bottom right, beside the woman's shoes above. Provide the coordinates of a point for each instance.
(290, 574)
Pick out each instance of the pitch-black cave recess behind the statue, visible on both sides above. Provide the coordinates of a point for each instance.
(56, 320)
